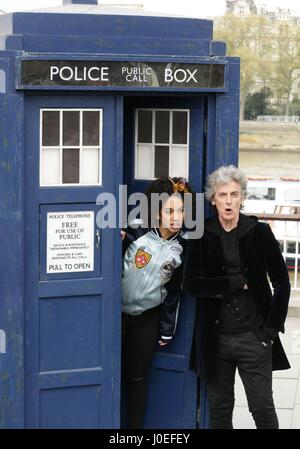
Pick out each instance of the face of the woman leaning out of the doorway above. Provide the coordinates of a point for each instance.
(172, 214)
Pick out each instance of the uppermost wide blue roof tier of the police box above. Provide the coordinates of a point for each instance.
(30, 23)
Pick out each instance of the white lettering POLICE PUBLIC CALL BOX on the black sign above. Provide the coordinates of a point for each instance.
(130, 74)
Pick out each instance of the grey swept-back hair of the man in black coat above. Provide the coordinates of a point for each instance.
(223, 175)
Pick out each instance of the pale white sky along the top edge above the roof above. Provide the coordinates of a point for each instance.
(198, 8)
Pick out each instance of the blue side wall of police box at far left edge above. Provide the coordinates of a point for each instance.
(11, 262)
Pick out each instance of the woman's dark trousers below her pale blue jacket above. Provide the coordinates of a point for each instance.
(140, 334)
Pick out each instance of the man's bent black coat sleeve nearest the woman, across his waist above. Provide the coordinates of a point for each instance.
(197, 282)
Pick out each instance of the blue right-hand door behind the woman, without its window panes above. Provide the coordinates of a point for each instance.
(173, 387)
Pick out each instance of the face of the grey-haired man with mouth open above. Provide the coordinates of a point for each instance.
(228, 199)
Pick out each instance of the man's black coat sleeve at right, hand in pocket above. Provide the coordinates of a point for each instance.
(278, 274)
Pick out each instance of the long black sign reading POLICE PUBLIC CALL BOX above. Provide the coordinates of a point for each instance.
(58, 74)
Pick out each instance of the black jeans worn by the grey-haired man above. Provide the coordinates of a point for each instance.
(253, 358)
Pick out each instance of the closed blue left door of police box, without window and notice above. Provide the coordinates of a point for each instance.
(71, 371)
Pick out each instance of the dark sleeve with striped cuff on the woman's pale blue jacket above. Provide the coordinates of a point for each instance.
(170, 307)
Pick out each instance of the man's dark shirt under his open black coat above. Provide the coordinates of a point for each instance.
(239, 312)
